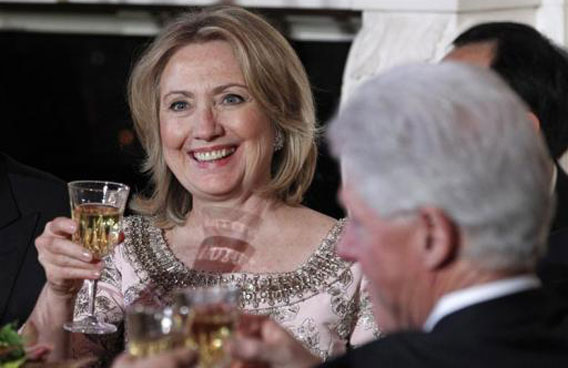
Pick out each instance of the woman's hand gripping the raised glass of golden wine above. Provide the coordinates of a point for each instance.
(66, 264)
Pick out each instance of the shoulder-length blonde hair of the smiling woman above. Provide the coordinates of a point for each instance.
(276, 79)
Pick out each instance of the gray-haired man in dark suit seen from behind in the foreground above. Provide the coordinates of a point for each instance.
(447, 186)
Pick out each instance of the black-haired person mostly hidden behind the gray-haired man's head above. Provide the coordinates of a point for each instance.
(537, 70)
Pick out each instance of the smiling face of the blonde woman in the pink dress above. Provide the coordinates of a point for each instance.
(215, 138)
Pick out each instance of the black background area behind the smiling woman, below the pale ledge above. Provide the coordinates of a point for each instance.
(64, 109)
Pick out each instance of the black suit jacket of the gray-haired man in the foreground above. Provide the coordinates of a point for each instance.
(523, 330)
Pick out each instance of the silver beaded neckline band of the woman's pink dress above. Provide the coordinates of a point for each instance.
(154, 262)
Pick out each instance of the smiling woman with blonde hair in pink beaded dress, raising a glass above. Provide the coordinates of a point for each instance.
(224, 110)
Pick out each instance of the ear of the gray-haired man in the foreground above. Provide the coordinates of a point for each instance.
(440, 238)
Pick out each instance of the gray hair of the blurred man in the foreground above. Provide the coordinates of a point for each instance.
(457, 138)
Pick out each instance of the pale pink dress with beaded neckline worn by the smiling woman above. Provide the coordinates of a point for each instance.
(323, 302)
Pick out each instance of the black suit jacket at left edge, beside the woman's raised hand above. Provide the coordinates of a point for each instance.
(28, 200)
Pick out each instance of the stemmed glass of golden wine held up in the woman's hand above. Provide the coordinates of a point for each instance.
(97, 207)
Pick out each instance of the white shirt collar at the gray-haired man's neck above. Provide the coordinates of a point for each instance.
(456, 300)
